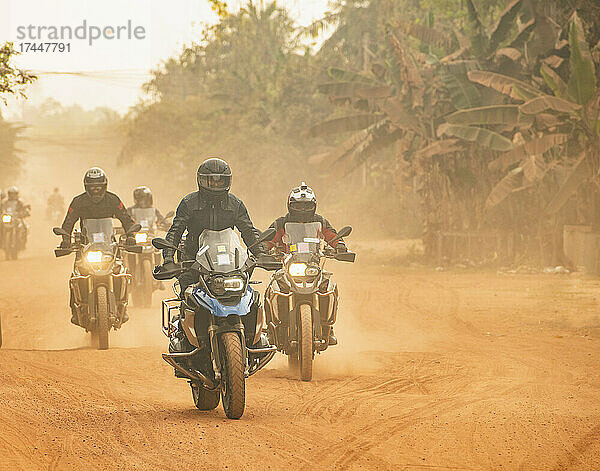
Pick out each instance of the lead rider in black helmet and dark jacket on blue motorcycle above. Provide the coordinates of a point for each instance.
(212, 207)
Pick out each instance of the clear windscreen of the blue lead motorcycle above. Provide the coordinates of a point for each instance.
(221, 251)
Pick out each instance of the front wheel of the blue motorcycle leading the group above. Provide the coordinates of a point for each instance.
(233, 390)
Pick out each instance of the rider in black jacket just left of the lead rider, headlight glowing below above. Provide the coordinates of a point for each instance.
(95, 203)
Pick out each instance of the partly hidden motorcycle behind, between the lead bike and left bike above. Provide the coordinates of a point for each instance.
(141, 265)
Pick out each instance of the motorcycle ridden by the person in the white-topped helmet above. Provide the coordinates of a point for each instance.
(301, 300)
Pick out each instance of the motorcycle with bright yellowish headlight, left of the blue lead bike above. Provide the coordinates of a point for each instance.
(99, 282)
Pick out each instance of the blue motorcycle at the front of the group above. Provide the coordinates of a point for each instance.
(214, 315)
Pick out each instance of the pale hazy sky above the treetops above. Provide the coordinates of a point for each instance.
(120, 66)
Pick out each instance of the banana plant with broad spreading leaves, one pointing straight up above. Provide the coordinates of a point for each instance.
(567, 118)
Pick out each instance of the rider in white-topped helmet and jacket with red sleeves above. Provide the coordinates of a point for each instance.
(302, 206)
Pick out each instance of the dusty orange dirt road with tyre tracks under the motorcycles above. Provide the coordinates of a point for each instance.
(434, 371)
